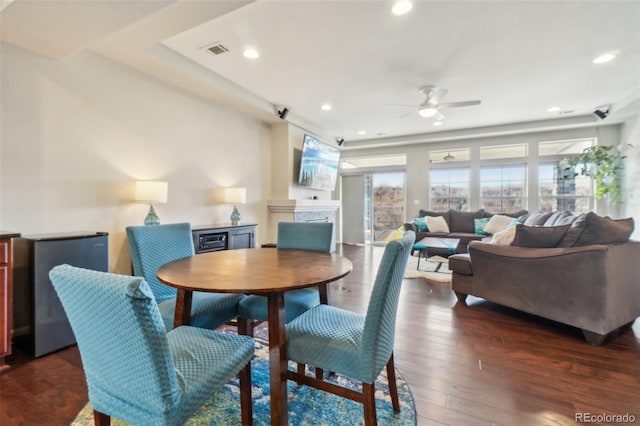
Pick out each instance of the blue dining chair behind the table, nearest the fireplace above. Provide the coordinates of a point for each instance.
(293, 235)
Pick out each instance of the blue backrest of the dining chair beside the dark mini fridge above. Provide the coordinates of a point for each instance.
(153, 246)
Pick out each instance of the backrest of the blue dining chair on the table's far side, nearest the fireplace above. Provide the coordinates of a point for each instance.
(306, 236)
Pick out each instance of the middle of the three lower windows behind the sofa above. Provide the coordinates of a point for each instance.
(503, 189)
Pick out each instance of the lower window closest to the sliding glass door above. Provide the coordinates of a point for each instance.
(449, 189)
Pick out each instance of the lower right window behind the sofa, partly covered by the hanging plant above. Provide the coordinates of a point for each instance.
(571, 194)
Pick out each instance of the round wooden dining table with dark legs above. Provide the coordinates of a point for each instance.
(265, 271)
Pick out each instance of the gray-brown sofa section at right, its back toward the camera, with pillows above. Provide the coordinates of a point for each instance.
(580, 270)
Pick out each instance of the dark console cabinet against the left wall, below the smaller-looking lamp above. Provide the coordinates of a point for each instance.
(208, 238)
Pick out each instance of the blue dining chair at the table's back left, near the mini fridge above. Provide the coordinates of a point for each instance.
(152, 247)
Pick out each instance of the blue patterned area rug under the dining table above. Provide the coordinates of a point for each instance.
(307, 406)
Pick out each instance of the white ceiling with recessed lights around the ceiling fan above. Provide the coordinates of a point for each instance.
(518, 58)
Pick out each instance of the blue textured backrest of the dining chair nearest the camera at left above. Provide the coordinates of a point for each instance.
(121, 338)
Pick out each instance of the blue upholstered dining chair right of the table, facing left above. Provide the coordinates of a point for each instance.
(351, 344)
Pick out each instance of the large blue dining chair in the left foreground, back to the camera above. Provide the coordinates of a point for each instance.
(136, 371)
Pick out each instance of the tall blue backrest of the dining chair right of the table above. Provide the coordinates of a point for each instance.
(379, 327)
